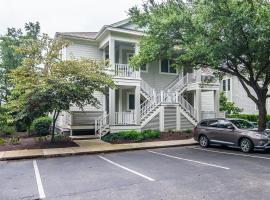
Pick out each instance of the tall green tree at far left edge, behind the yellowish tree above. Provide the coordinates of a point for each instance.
(9, 59)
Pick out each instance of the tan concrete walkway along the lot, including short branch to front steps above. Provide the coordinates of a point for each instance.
(90, 147)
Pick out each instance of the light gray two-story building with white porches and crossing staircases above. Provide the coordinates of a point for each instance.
(156, 96)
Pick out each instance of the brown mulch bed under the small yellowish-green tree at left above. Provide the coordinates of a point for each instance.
(27, 142)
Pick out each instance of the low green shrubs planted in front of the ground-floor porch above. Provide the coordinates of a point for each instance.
(132, 135)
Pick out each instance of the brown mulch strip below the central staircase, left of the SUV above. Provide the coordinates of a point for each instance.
(164, 136)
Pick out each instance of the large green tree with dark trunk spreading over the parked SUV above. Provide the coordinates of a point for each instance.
(230, 36)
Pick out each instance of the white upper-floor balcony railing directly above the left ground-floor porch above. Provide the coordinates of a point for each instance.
(124, 70)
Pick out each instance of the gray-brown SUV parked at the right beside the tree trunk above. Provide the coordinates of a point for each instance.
(231, 132)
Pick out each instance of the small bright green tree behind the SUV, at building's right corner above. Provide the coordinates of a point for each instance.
(227, 106)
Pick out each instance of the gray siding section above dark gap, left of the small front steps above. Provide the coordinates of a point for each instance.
(85, 118)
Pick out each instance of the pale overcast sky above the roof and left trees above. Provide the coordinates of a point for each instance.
(63, 15)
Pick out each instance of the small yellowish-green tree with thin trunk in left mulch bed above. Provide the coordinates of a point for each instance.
(47, 84)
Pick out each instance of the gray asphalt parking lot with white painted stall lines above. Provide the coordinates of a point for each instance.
(158, 174)
